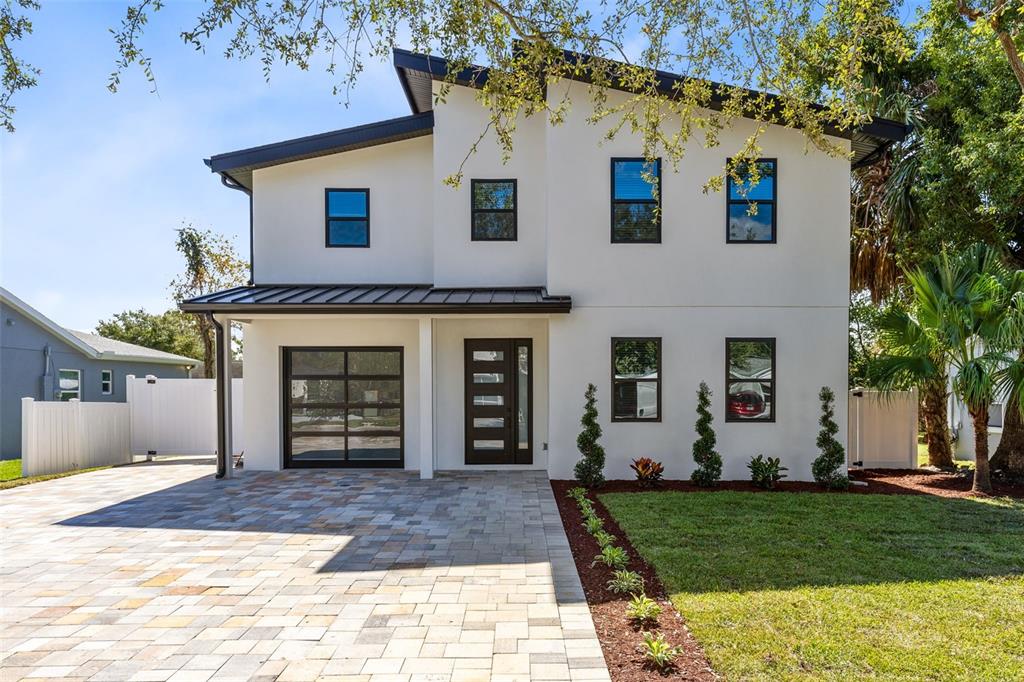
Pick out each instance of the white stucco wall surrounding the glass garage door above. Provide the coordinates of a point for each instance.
(265, 339)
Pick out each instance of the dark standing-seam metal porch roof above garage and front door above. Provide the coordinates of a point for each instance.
(379, 300)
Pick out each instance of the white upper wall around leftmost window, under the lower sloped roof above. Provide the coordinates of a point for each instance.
(289, 218)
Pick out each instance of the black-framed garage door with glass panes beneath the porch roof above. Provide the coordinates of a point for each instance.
(344, 408)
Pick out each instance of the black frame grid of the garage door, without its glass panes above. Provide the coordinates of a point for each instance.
(286, 412)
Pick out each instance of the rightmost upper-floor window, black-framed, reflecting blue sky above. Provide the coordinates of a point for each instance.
(751, 205)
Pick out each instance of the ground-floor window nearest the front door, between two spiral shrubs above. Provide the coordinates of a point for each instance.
(636, 380)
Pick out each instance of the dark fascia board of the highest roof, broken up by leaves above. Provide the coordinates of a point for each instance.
(883, 130)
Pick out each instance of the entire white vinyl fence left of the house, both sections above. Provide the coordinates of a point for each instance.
(161, 417)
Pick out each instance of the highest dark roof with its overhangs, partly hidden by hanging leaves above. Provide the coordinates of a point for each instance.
(417, 72)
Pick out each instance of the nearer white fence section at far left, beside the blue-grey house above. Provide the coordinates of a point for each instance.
(64, 437)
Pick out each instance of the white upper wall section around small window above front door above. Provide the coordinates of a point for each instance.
(458, 261)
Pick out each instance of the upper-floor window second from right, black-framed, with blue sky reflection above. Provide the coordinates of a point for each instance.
(636, 195)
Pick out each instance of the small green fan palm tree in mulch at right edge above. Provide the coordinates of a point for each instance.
(966, 314)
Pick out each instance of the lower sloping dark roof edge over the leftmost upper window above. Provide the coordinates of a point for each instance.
(240, 165)
